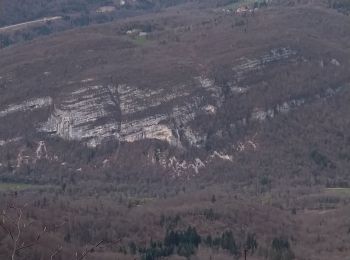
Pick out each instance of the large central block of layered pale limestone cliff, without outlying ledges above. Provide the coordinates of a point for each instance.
(129, 114)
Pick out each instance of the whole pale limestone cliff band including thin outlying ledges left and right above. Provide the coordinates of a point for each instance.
(94, 112)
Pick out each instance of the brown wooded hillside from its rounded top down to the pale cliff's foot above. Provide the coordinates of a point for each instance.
(200, 87)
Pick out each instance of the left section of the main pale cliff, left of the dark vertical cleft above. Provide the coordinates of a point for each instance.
(85, 114)
